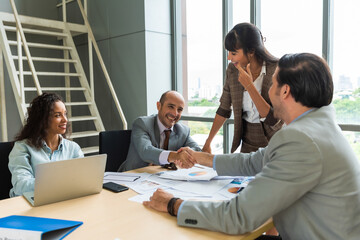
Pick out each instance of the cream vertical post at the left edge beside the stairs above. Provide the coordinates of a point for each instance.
(4, 135)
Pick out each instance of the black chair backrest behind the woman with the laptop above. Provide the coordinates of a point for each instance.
(5, 175)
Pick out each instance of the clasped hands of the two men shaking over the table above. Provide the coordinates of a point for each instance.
(185, 157)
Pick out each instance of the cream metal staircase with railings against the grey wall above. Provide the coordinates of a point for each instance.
(11, 25)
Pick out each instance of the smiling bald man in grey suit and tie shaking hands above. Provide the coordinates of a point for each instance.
(149, 143)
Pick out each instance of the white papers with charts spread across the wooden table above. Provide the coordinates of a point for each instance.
(198, 182)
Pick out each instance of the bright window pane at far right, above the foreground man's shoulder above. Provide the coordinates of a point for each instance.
(345, 61)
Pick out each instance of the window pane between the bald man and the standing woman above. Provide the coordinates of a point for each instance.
(202, 71)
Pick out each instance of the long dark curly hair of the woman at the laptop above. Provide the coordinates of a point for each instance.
(37, 122)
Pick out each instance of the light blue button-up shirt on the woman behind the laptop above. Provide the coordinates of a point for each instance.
(23, 158)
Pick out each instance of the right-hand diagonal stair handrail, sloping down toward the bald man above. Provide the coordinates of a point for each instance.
(122, 116)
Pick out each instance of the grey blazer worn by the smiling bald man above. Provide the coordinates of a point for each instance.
(145, 142)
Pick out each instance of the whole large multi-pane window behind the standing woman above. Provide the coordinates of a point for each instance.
(327, 28)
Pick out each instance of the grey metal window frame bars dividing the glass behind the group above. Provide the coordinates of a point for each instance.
(255, 18)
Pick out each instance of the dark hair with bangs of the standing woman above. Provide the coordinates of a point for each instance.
(248, 37)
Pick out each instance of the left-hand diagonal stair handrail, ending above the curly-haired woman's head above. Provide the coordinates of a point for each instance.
(26, 48)
